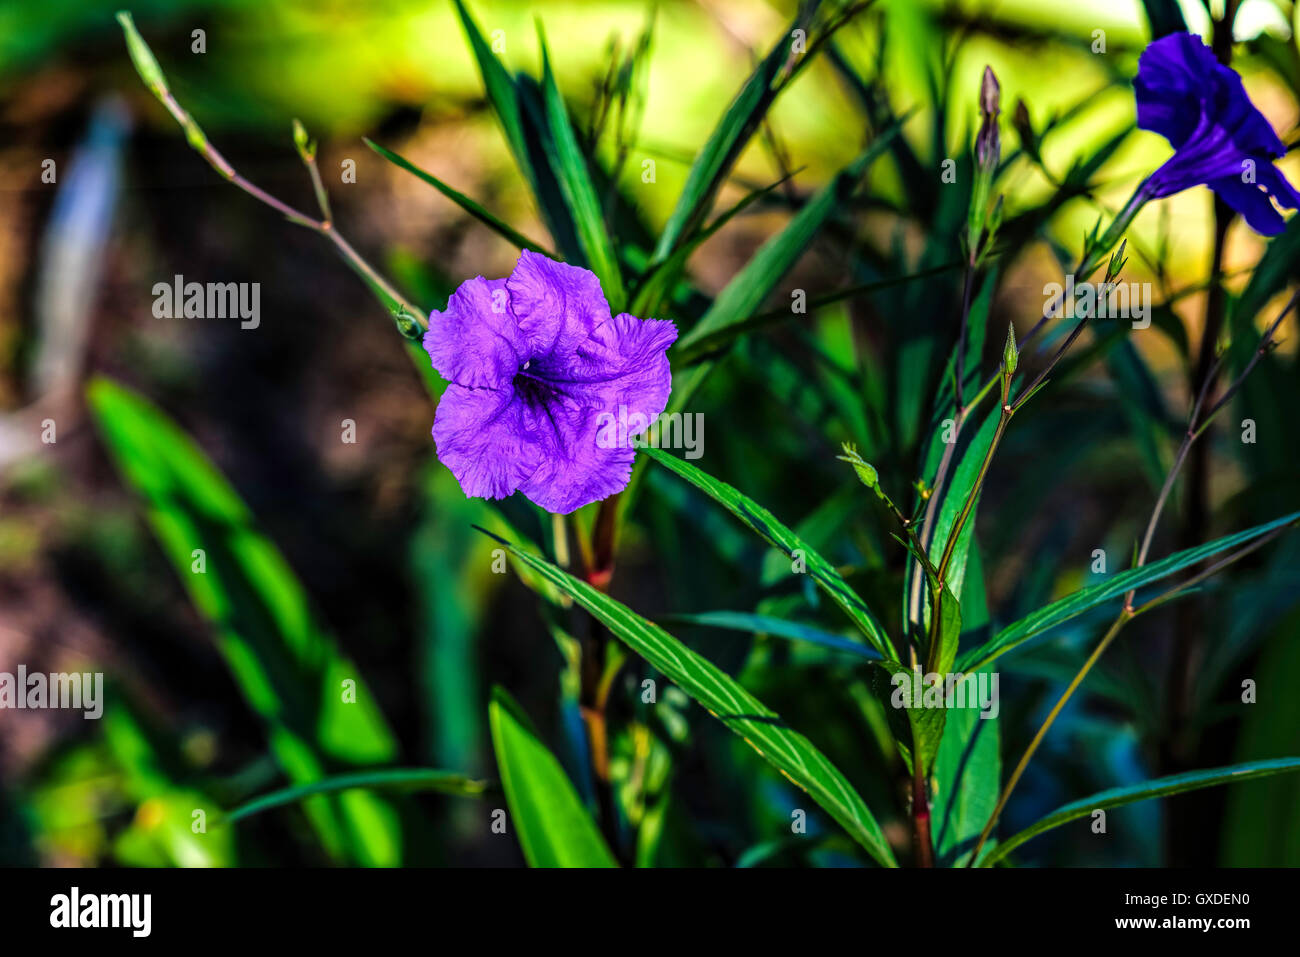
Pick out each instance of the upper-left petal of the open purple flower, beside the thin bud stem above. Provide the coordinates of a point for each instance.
(476, 343)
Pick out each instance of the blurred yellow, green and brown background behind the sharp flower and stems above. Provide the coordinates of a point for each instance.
(363, 551)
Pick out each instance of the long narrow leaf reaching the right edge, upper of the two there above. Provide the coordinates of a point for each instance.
(1073, 605)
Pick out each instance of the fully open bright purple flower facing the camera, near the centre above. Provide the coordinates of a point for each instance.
(539, 370)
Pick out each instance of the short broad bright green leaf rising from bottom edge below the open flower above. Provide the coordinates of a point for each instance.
(553, 826)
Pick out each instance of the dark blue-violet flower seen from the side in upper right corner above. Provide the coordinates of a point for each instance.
(1220, 138)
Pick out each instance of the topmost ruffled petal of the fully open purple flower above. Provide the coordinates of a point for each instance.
(558, 306)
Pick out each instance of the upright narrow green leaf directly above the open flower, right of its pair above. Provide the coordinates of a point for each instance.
(570, 167)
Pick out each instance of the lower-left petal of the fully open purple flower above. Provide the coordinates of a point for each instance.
(486, 440)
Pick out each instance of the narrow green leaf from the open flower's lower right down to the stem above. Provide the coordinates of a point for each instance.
(777, 535)
